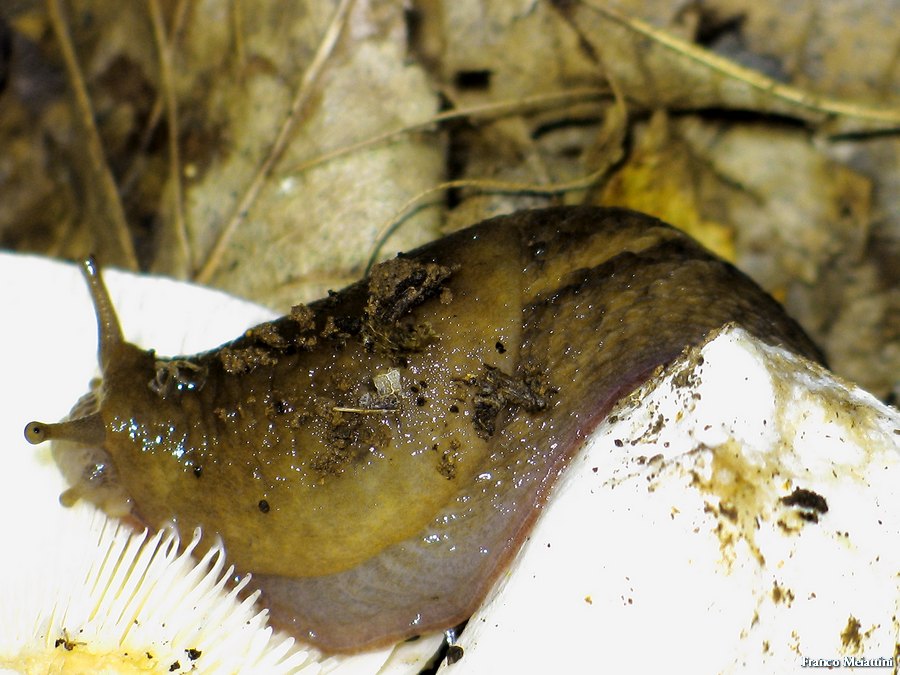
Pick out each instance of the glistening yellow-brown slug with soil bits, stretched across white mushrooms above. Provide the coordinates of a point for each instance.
(376, 458)
